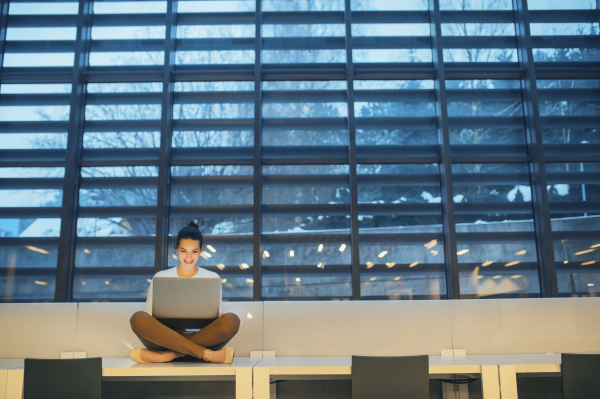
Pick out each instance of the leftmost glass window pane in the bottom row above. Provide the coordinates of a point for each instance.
(29, 241)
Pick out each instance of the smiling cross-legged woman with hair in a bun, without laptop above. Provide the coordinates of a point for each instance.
(164, 344)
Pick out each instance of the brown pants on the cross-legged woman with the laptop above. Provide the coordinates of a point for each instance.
(156, 336)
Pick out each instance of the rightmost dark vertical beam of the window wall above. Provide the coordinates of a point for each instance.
(535, 149)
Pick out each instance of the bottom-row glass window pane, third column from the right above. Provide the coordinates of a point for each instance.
(400, 226)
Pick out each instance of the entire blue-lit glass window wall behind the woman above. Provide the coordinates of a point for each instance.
(329, 150)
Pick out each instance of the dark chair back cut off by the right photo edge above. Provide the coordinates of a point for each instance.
(581, 376)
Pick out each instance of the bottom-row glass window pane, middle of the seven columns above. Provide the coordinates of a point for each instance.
(306, 232)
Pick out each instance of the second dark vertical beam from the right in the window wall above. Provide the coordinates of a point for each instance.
(450, 257)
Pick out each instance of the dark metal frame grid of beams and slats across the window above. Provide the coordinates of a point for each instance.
(534, 153)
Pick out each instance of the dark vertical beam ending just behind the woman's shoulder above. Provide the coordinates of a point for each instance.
(161, 251)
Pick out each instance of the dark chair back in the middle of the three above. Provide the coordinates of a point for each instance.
(402, 377)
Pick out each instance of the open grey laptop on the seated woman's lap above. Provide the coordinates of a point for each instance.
(181, 303)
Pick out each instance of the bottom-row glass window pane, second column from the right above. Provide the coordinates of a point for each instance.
(494, 231)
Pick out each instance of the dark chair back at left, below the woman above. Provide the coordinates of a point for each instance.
(63, 378)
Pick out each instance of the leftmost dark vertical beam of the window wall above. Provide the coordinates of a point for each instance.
(70, 204)
